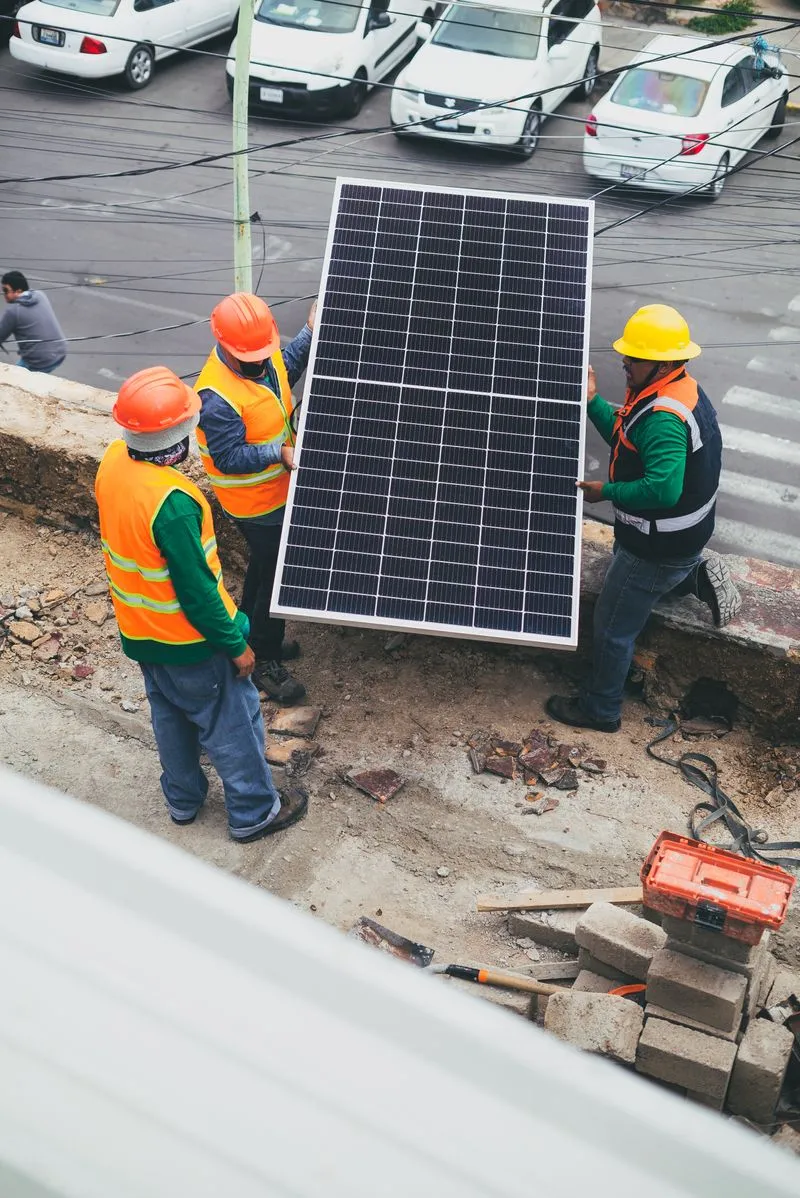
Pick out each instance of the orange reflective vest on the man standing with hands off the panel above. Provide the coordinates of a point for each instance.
(130, 497)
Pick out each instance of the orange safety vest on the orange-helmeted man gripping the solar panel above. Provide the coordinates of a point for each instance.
(268, 420)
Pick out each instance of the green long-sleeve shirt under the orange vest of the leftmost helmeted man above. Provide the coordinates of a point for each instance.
(178, 534)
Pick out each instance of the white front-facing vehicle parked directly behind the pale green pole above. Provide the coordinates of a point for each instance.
(319, 58)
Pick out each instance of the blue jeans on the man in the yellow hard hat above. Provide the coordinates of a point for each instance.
(631, 591)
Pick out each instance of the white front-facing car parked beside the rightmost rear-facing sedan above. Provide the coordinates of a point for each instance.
(492, 75)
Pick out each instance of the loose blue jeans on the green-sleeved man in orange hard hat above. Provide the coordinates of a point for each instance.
(207, 707)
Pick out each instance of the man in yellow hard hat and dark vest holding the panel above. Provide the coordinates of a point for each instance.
(666, 456)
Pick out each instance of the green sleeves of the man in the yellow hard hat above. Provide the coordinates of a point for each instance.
(662, 444)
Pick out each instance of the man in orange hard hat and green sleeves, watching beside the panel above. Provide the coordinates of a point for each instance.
(175, 616)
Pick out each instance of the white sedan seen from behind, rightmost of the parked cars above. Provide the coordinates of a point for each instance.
(681, 124)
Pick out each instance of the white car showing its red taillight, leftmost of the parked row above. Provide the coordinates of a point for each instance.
(96, 39)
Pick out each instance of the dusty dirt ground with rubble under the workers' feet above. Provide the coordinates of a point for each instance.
(416, 863)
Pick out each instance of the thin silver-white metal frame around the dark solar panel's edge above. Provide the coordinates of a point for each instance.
(428, 627)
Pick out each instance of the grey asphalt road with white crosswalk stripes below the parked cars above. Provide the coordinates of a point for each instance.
(138, 255)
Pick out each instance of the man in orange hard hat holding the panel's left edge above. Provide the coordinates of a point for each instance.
(247, 440)
